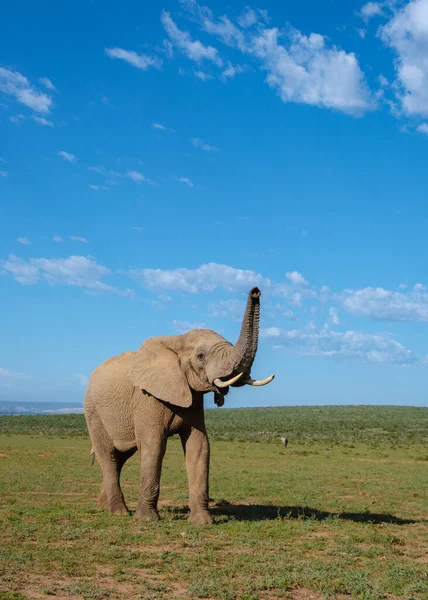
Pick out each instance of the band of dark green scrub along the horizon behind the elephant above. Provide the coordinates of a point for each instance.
(344, 425)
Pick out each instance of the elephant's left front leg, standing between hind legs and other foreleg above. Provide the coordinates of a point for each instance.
(151, 453)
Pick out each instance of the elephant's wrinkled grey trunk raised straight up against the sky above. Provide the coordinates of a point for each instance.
(246, 346)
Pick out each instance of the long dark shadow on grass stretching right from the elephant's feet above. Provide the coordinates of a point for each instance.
(261, 512)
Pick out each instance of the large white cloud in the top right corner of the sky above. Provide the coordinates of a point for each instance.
(407, 34)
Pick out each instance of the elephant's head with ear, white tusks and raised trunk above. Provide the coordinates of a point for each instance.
(170, 367)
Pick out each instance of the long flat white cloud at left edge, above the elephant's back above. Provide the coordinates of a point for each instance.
(80, 271)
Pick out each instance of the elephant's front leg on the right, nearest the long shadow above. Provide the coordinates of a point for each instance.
(197, 450)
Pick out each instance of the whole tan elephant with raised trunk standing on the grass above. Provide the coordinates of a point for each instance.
(136, 400)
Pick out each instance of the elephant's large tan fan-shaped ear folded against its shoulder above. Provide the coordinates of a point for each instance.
(156, 369)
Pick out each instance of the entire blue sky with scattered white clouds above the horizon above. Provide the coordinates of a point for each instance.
(158, 159)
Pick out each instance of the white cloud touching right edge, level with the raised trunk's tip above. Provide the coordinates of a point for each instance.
(381, 304)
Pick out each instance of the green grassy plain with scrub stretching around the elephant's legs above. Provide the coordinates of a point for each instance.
(341, 512)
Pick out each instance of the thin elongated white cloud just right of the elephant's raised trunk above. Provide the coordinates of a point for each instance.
(312, 341)
